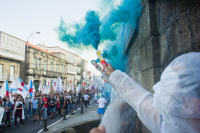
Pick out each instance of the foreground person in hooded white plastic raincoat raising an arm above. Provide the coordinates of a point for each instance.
(175, 105)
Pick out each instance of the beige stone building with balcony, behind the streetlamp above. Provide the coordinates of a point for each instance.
(42, 65)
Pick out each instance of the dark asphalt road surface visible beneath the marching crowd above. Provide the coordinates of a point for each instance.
(31, 127)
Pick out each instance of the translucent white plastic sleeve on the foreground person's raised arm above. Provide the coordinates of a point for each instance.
(137, 97)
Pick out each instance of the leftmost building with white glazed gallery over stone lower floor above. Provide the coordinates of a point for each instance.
(12, 51)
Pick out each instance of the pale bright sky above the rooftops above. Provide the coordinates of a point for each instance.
(20, 18)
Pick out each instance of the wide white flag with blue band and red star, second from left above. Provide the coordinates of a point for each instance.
(19, 87)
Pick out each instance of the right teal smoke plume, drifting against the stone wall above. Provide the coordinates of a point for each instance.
(127, 12)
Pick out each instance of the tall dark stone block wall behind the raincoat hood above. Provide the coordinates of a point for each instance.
(167, 29)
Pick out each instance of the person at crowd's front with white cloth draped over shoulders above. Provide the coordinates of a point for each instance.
(19, 112)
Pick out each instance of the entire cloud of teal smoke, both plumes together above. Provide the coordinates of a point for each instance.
(108, 31)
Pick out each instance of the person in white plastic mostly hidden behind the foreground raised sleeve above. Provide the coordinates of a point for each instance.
(119, 116)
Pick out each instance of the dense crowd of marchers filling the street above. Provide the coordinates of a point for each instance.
(42, 106)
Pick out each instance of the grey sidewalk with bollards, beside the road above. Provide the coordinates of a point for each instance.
(90, 113)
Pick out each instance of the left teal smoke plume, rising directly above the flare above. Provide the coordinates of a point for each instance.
(85, 35)
